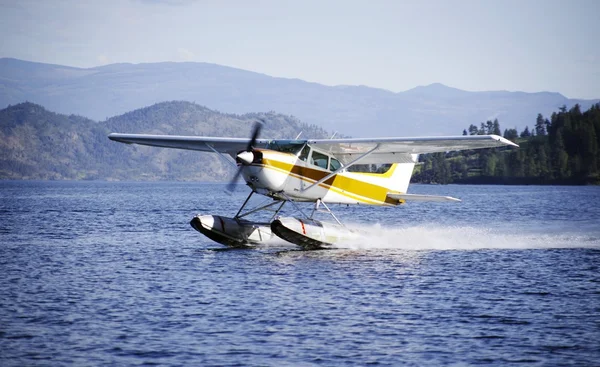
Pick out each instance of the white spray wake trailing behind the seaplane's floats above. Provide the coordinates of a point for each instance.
(435, 237)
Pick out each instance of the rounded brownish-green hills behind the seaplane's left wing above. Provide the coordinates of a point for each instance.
(39, 144)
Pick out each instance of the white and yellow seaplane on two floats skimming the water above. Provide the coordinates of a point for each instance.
(314, 171)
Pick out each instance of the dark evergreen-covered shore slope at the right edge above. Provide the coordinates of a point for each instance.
(562, 149)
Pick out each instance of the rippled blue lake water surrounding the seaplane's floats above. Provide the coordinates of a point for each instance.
(111, 273)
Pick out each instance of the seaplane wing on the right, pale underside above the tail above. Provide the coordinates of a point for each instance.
(400, 150)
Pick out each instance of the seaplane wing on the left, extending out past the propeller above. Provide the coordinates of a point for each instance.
(202, 143)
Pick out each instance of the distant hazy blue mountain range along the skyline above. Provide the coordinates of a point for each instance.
(360, 111)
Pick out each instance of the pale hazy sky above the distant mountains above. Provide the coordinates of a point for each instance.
(521, 45)
